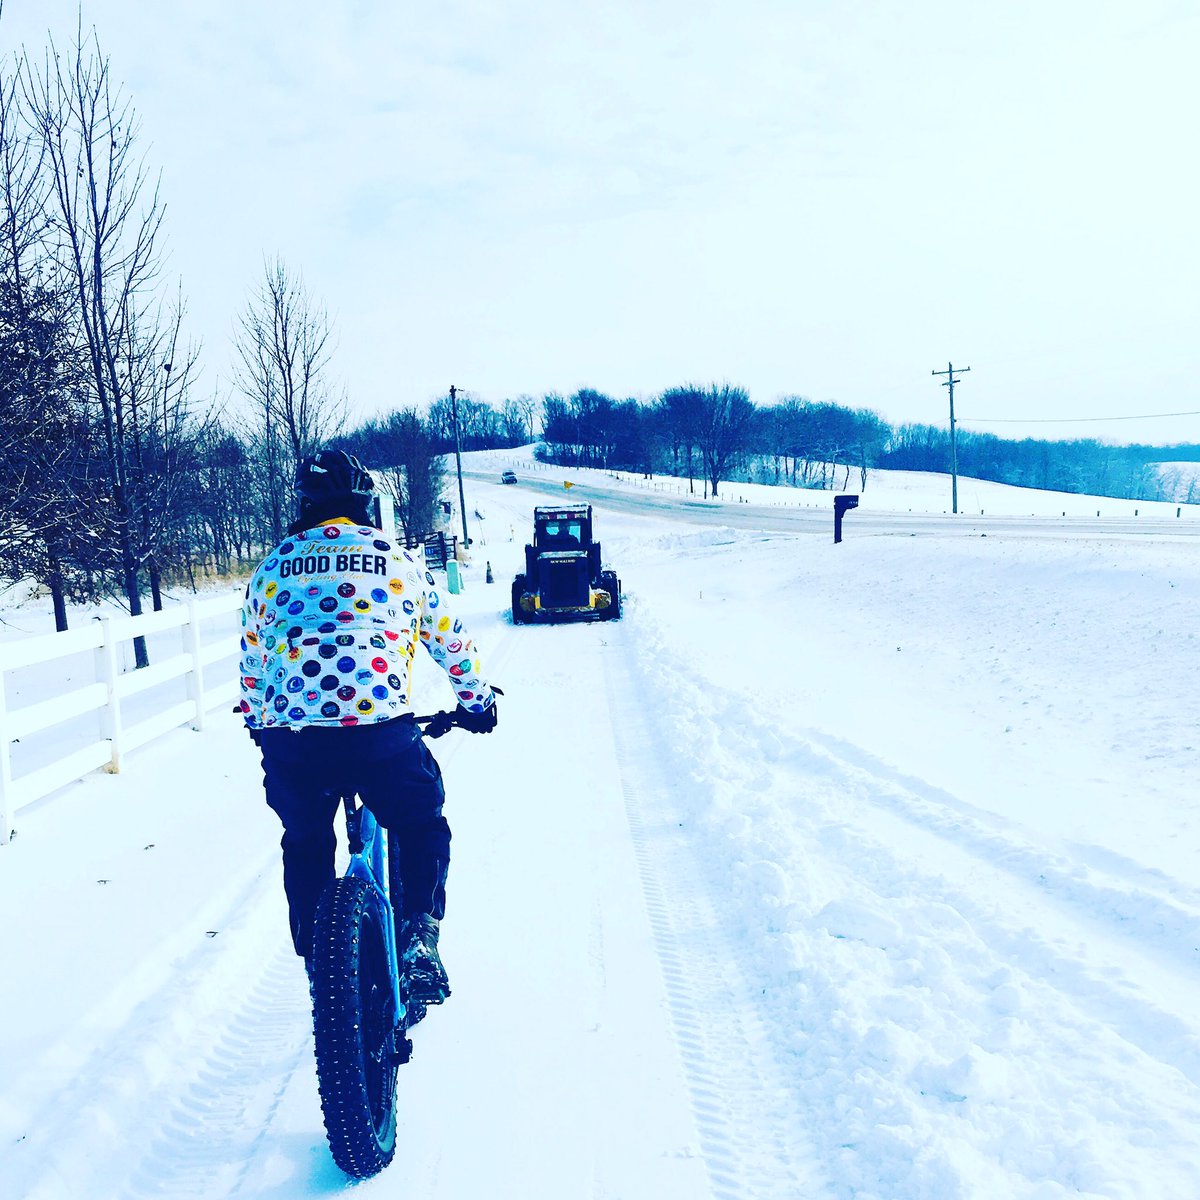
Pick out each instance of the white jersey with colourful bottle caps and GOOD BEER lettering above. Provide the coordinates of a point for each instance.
(331, 626)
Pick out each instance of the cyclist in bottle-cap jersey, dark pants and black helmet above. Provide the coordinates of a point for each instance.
(331, 626)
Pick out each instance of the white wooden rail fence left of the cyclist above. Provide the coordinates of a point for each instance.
(109, 692)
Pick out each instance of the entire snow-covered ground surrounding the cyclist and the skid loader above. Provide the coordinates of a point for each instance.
(855, 872)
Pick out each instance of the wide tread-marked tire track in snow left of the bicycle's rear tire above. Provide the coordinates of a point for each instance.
(179, 1101)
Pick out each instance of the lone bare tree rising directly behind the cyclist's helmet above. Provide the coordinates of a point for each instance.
(286, 346)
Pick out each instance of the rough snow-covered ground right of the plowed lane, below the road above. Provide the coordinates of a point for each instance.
(955, 849)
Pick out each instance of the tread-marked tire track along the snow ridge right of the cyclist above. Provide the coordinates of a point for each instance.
(753, 1135)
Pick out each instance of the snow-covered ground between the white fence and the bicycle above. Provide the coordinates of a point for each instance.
(154, 1010)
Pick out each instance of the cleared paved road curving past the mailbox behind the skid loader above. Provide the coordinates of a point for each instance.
(819, 521)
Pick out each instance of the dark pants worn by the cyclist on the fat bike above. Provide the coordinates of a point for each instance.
(392, 770)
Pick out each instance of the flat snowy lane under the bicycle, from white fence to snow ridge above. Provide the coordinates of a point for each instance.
(601, 1043)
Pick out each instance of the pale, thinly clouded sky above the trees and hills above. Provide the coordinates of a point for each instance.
(827, 199)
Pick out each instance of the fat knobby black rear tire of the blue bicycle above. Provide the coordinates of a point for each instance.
(355, 1025)
